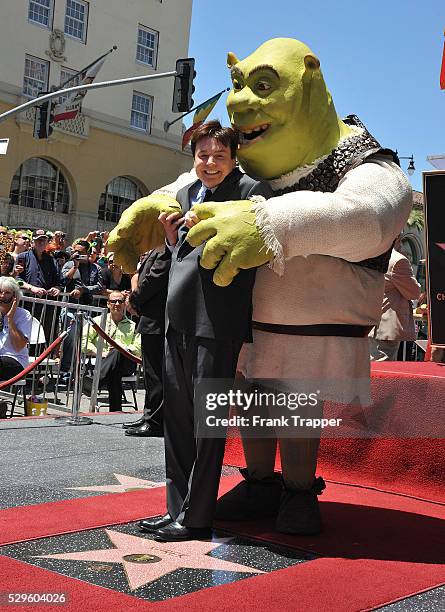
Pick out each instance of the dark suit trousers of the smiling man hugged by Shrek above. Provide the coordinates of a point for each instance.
(193, 465)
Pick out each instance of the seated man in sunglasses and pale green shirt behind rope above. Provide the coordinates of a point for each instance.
(114, 364)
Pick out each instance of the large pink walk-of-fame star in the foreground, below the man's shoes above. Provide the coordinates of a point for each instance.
(146, 560)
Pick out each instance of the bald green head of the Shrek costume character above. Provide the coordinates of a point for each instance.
(280, 103)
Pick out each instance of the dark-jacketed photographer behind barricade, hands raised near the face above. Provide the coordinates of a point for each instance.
(82, 280)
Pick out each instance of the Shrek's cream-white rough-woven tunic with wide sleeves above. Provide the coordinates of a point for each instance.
(316, 236)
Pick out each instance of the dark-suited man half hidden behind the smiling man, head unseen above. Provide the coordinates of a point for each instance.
(148, 301)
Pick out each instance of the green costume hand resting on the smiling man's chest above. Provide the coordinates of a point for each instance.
(233, 240)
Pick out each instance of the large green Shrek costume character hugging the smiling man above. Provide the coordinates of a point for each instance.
(340, 201)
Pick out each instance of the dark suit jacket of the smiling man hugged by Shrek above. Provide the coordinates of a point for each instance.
(195, 305)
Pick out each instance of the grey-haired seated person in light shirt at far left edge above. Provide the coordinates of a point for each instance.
(15, 331)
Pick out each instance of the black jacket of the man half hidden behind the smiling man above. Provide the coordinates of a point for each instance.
(151, 294)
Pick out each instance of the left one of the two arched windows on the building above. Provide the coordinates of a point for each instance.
(40, 184)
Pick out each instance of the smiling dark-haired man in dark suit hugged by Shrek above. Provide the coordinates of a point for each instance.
(206, 327)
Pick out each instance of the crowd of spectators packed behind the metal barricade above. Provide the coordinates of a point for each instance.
(45, 266)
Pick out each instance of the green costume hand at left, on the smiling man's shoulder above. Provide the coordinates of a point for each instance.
(139, 229)
